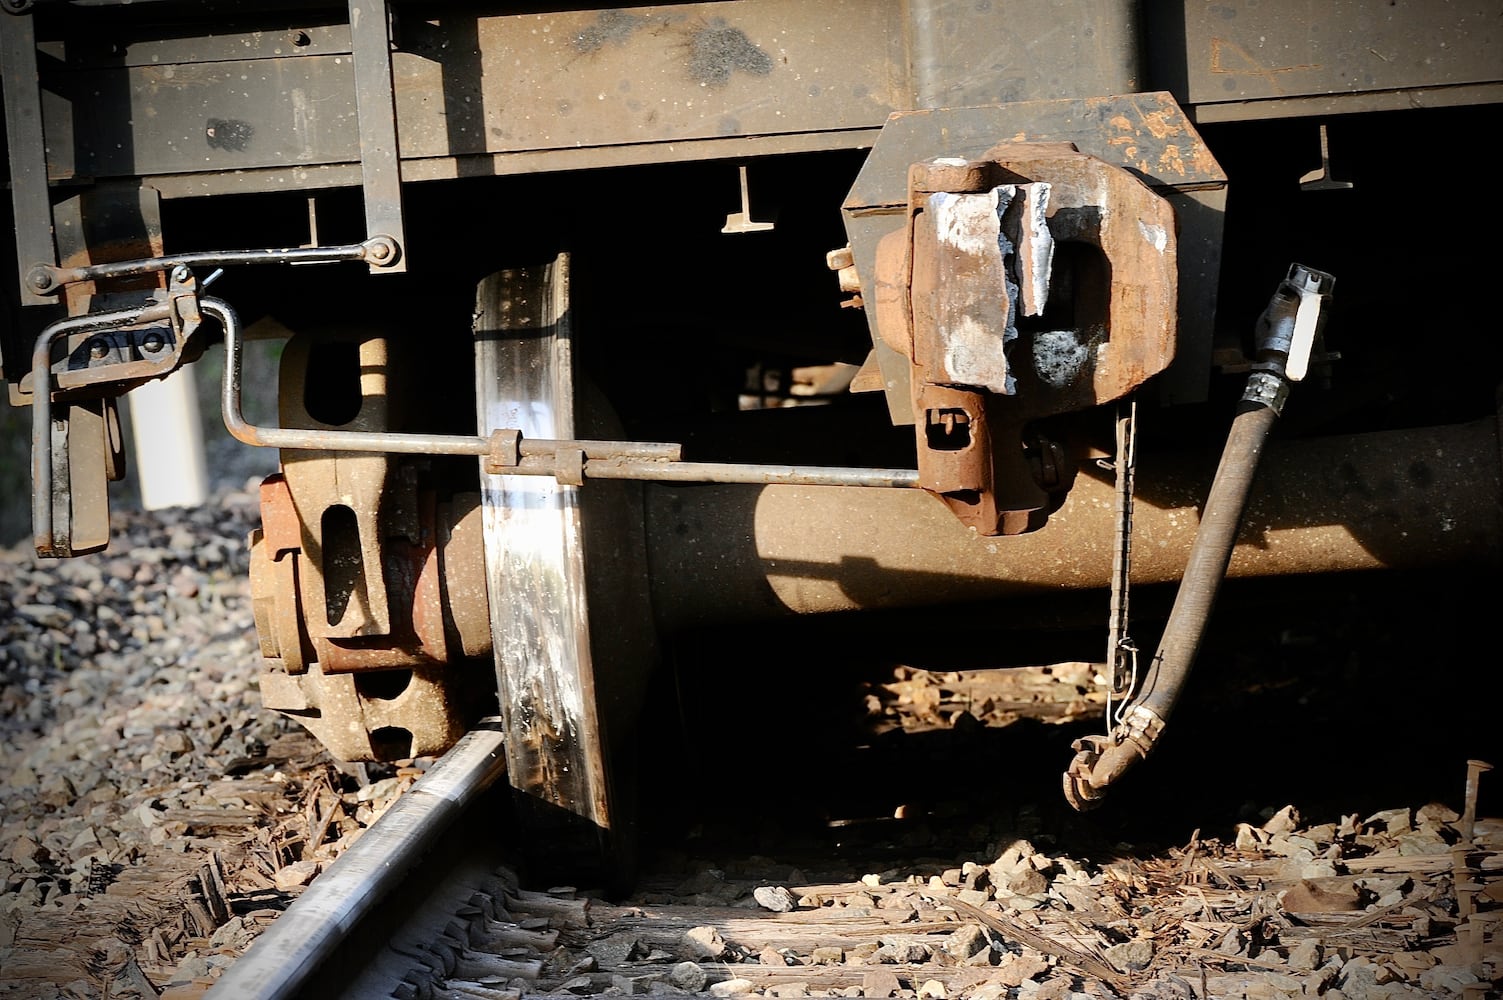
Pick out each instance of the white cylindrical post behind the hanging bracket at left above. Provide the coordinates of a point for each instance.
(166, 426)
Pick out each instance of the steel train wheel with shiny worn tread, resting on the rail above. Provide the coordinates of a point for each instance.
(566, 568)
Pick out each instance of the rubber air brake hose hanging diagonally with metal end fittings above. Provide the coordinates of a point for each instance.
(1286, 335)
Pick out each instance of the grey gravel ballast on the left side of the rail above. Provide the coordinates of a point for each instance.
(156, 817)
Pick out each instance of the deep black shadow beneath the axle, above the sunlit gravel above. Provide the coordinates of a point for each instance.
(1341, 695)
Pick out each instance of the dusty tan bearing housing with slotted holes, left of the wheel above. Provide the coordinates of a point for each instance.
(351, 575)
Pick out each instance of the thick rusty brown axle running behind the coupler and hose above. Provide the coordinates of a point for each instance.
(1393, 500)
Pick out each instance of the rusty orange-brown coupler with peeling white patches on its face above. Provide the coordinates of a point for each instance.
(1029, 231)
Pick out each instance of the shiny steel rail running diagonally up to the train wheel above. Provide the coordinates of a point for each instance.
(292, 950)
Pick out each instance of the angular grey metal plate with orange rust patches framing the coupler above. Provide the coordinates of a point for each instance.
(1146, 135)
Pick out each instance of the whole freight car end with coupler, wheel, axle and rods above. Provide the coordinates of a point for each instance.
(609, 323)
